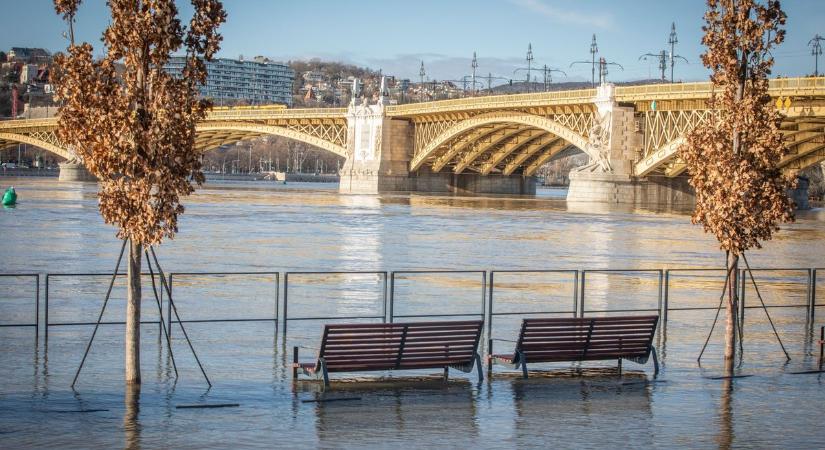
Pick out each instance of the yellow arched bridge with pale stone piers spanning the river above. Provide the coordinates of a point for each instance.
(630, 133)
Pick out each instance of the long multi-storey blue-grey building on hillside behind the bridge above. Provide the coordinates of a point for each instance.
(229, 81)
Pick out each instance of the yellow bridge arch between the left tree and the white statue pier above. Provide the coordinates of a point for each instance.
(210, 135)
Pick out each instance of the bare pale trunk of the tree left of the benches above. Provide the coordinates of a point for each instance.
(132, 337)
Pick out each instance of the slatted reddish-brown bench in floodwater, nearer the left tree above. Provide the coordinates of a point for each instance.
(394, 346)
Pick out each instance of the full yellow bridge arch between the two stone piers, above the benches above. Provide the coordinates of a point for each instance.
(509, 139)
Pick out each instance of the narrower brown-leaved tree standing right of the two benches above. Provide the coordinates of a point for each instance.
(733, 159)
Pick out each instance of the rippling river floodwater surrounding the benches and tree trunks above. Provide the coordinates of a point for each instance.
(256, 229)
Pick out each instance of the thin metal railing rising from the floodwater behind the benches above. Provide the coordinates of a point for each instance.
(388, 293)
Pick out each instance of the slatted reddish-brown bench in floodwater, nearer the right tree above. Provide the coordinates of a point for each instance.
(581, 339)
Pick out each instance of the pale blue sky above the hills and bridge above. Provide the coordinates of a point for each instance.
(395, 36)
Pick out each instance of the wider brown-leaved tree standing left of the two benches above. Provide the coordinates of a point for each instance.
(134, 128)
